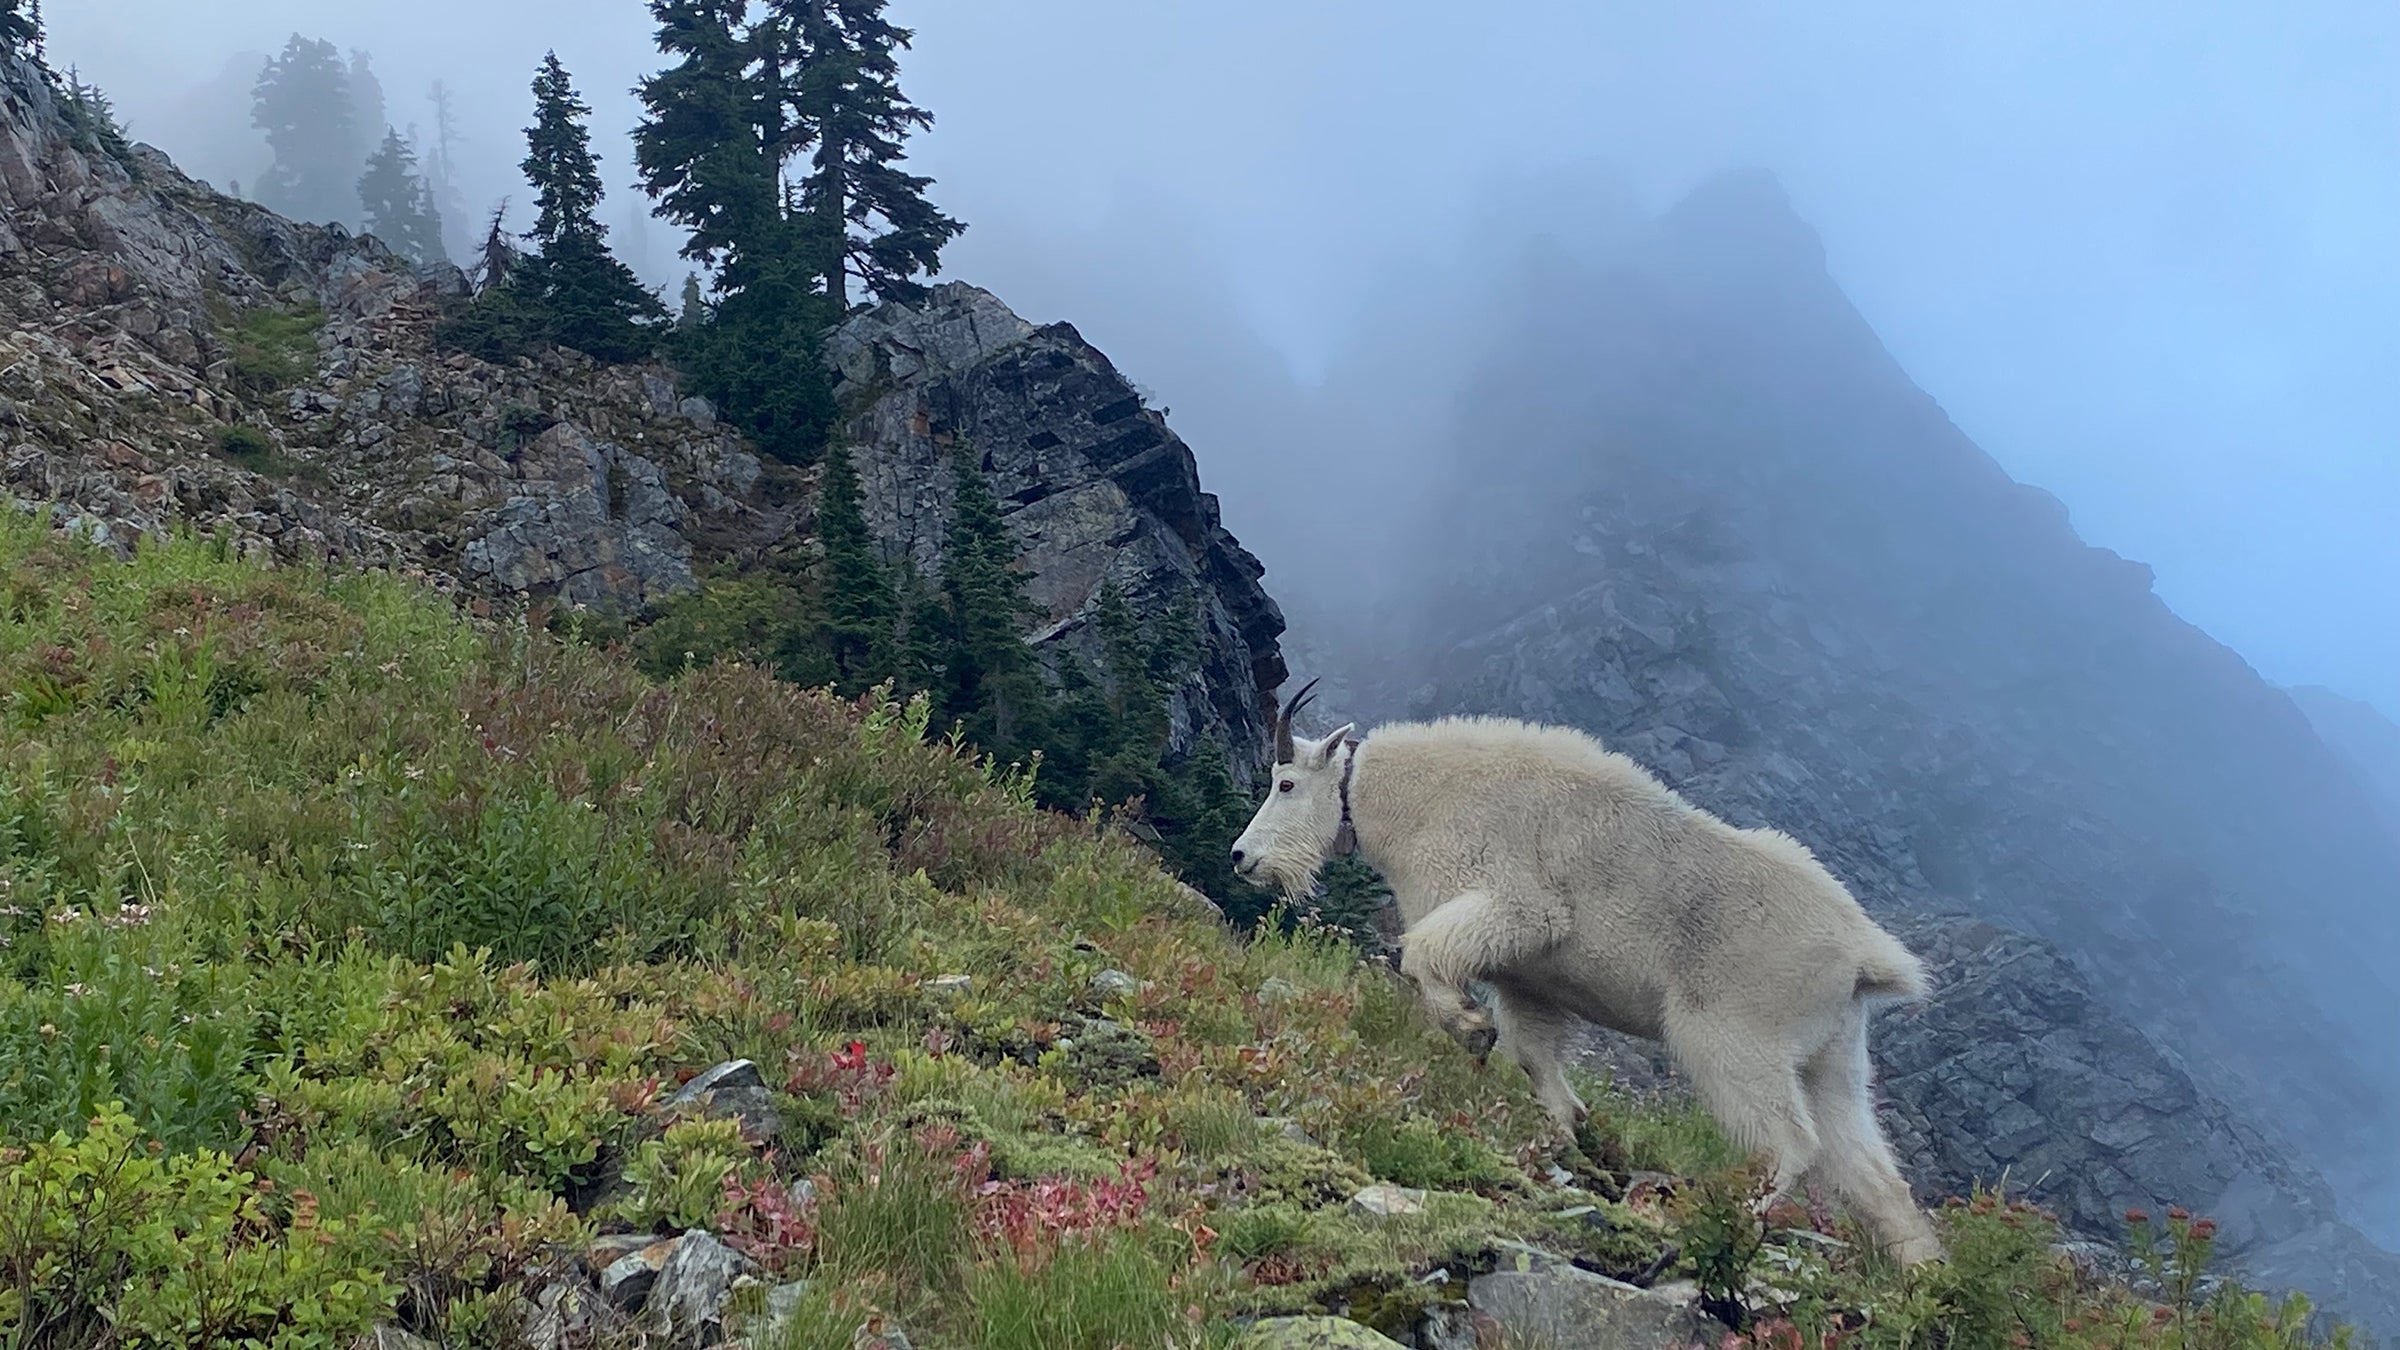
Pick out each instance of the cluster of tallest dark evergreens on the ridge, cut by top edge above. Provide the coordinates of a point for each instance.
(750, 90)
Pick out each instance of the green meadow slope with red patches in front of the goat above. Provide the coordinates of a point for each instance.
(352, 950)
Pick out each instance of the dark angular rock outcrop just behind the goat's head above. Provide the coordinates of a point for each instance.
(1091, 482)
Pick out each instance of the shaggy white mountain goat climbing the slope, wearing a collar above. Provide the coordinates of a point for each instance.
(1578, 885)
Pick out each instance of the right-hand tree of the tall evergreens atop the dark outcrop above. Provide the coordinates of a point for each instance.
(851, 119)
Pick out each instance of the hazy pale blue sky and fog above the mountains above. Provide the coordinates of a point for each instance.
(2147, 253)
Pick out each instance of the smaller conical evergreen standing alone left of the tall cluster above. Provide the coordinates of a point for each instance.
(589, 299)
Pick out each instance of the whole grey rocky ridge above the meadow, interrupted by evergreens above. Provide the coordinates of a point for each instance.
(128, 294)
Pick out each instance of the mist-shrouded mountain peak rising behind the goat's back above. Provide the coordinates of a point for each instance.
(1703, 513)
